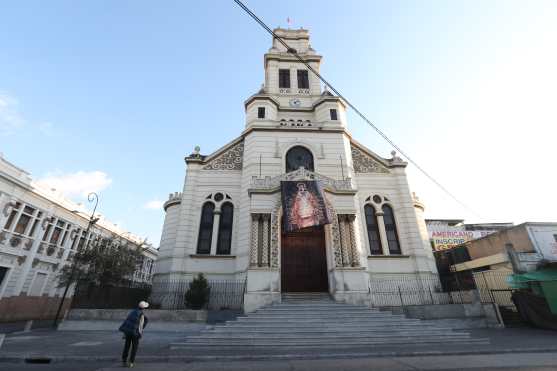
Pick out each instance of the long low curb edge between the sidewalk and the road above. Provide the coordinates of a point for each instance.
(29, 358)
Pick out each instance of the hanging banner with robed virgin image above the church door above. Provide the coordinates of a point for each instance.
(303, 205)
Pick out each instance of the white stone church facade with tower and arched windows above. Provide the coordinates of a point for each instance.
(228, 222)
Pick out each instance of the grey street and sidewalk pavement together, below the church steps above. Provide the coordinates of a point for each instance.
(509, 349)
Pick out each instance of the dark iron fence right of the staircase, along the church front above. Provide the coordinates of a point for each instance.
(405, 290)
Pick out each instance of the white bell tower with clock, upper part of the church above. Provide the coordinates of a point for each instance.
(291, 95)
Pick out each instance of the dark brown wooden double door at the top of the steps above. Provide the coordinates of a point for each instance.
(304, 261)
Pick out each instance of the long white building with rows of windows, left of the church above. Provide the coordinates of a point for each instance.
(40, 231)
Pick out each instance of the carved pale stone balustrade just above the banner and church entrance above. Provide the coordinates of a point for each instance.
(270, 183)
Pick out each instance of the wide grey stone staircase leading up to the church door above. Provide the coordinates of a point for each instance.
(313, 324)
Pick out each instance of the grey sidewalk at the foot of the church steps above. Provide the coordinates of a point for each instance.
(155, 346)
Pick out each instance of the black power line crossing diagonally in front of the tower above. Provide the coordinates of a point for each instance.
(362, 116)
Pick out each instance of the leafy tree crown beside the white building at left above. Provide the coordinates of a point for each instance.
(103, 262)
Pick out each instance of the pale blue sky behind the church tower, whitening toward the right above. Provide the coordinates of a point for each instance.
(111, 95)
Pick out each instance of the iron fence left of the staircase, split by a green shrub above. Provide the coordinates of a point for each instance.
(223, 294)
